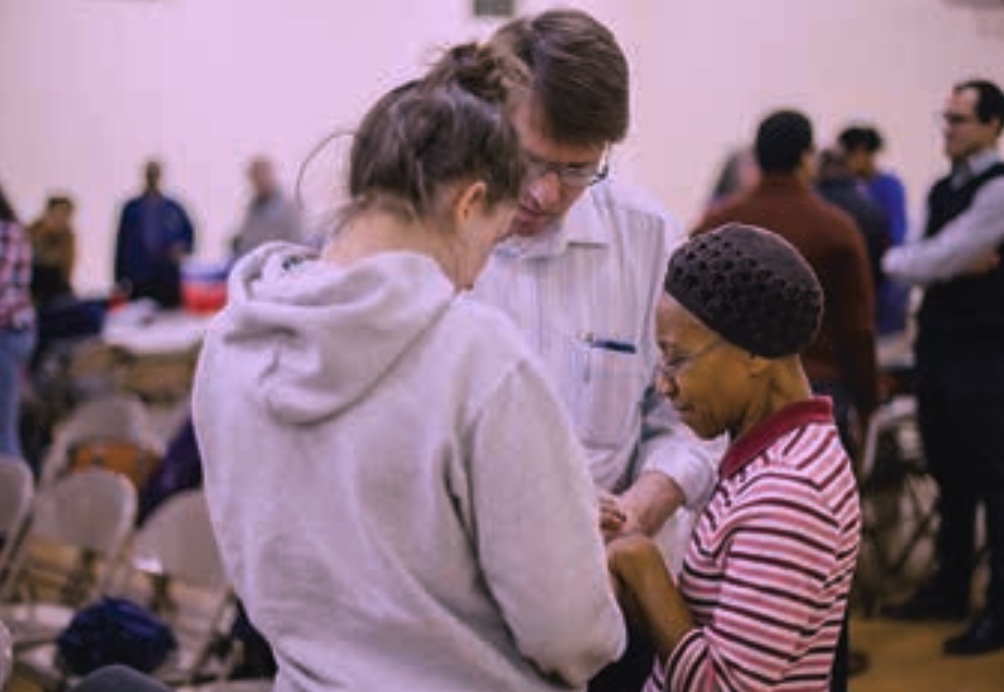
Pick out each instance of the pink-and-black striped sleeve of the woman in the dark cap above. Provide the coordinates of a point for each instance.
(779, 590)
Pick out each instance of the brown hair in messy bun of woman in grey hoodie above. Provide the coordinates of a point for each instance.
(448, 127)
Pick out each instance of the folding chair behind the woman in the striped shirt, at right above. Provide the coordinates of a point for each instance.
(899, 502)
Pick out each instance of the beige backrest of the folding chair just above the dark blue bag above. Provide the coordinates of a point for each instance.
(89, 516)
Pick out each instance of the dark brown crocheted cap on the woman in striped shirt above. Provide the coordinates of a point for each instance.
(751, 287)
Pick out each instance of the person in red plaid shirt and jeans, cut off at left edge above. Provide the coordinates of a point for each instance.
(18, 324)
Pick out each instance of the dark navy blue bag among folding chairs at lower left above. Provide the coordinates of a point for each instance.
(115, 631)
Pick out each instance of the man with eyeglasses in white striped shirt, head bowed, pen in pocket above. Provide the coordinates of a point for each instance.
(581, 276)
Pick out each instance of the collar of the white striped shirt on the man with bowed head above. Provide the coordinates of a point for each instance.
(583, 225)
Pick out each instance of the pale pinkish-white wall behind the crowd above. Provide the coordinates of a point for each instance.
(91, 88)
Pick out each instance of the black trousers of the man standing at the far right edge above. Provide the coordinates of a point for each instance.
(961, 416)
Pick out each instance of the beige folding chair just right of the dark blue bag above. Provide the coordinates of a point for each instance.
(173, 568)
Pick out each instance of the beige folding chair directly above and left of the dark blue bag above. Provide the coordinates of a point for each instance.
(76, 533)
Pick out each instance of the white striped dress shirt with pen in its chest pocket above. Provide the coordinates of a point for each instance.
(585, 297)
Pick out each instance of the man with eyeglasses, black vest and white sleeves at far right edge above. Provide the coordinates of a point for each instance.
(960, 363)
